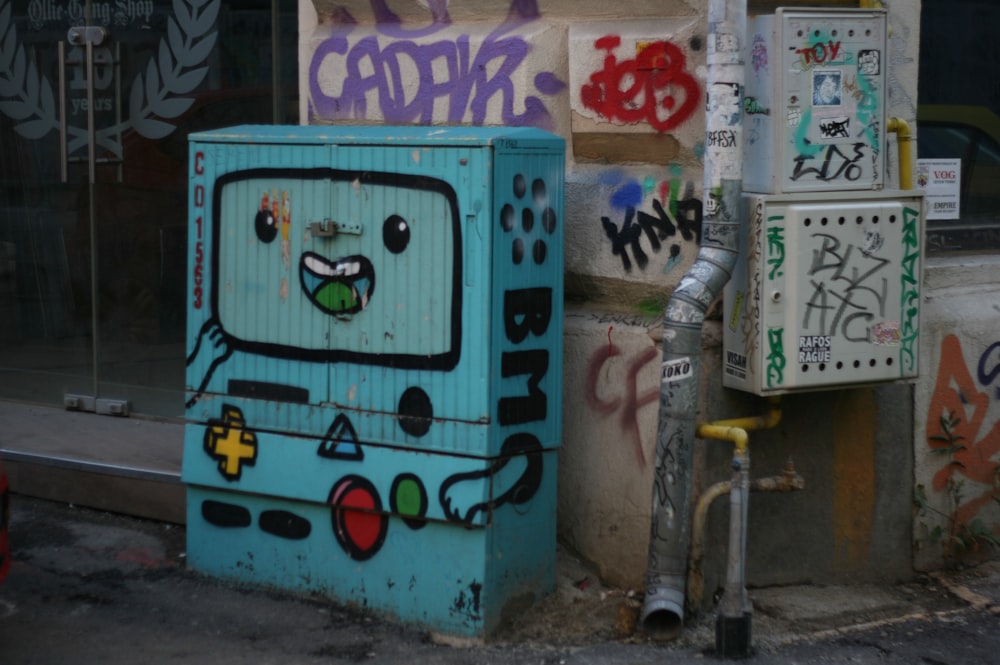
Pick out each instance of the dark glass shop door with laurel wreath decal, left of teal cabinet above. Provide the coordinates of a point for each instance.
(96, 102)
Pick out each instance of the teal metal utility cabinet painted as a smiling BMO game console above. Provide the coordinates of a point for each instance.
(374, 365)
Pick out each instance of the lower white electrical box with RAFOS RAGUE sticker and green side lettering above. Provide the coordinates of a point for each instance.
(825, 293)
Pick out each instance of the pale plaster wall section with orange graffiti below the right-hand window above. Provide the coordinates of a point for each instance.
(957, 412)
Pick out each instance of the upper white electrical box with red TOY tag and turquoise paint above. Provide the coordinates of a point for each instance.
(815, 101)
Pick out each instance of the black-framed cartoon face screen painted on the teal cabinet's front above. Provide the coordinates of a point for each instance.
(339, 264)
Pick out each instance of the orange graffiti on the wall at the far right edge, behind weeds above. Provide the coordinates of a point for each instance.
(963, 425)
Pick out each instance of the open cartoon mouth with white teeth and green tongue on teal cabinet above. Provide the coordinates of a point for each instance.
(339, 287)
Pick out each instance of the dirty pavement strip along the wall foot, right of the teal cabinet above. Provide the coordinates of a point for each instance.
(581, 608)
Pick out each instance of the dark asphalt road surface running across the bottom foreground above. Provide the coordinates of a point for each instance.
(92, 587)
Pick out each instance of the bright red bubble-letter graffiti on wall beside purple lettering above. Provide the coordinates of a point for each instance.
(655, 87)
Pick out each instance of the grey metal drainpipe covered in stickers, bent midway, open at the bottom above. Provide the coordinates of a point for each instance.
(662, 614)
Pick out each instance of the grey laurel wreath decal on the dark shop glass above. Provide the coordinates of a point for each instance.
(155, 97)
